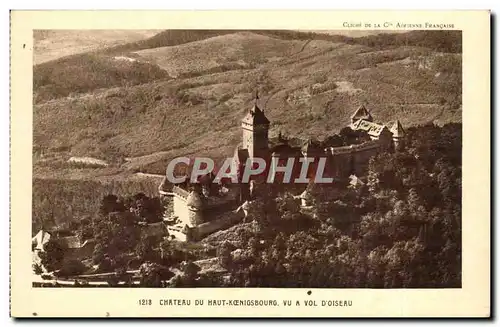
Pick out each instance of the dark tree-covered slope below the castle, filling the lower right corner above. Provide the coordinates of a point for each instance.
(401, 230)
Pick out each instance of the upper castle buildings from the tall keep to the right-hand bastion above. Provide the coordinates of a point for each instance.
(342, 161)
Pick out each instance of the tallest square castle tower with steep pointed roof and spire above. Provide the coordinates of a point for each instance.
(255, 128)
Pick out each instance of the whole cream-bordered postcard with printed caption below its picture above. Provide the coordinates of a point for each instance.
(250, 164)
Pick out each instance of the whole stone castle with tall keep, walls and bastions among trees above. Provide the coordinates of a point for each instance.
(203, 208)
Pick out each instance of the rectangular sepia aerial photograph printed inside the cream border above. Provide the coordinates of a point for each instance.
(194, 158)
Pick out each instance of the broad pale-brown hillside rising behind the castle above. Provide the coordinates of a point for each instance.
(191, 93)
